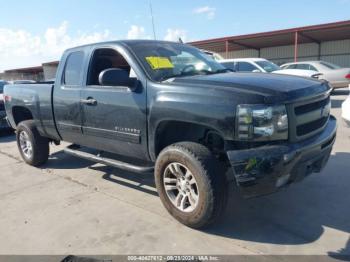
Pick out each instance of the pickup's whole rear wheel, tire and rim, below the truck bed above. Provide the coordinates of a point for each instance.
(33, 147)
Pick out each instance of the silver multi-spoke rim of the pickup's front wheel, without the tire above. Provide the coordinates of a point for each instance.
(181, 187)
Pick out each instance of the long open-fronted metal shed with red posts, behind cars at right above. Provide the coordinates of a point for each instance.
(329, 42)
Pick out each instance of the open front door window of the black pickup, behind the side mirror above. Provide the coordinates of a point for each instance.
(106, 58)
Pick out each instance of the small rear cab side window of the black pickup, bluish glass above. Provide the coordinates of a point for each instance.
(73, 69)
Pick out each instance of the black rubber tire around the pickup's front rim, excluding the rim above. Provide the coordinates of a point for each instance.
(210, 176)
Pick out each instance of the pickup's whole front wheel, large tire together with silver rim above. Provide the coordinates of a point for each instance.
(191, 184)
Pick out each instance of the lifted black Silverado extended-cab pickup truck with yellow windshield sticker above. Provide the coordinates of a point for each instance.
(168, 108)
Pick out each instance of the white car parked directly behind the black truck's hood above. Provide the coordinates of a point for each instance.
(263, 65)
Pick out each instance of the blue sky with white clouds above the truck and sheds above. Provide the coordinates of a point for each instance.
(36, 31)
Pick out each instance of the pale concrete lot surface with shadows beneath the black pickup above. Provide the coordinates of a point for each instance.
(72, 206)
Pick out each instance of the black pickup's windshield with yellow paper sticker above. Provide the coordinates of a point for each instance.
(163, 60)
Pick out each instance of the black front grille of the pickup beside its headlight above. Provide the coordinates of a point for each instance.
(309, 118)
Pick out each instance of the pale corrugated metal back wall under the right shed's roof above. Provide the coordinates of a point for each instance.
(337, 52)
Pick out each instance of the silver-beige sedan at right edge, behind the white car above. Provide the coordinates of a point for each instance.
(337, 76)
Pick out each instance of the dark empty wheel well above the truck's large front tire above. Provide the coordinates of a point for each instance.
(170, 132)
